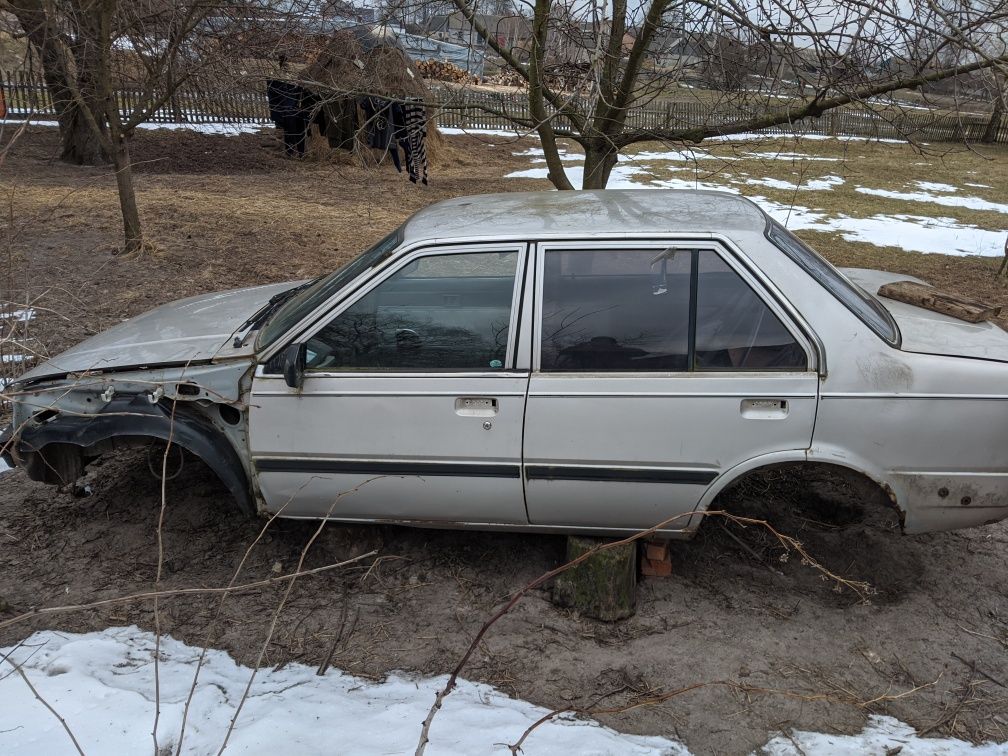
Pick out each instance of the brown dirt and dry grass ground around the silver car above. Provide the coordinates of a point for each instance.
(774, 646)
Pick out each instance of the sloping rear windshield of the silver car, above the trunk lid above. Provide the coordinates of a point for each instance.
(866, 308)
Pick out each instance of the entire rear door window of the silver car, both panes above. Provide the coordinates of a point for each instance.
(657, 311)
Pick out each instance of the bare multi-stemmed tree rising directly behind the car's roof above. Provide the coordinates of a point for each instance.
(778, 62)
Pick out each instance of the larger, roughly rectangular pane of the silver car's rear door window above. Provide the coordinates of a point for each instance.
(615, 311)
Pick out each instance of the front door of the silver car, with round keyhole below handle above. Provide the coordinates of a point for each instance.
(412, 408)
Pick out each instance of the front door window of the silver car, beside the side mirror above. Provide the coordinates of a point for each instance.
(438, 313)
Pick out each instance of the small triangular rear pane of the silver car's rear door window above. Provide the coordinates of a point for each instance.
(735, 329)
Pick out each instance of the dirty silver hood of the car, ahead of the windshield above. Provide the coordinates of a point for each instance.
(187, 331)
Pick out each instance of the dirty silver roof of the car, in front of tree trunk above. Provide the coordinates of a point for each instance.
(538, 214)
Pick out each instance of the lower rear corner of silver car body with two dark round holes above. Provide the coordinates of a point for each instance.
(945, 501)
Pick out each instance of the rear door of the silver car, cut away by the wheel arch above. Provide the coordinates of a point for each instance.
(658, 367)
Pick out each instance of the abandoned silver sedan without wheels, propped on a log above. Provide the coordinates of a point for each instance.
(590, 362)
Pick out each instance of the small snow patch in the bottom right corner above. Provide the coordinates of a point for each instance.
(881, 735)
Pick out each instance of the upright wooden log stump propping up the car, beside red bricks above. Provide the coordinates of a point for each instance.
(603, 587)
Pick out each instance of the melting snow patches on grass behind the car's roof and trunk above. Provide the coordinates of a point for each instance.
(913, 231)
